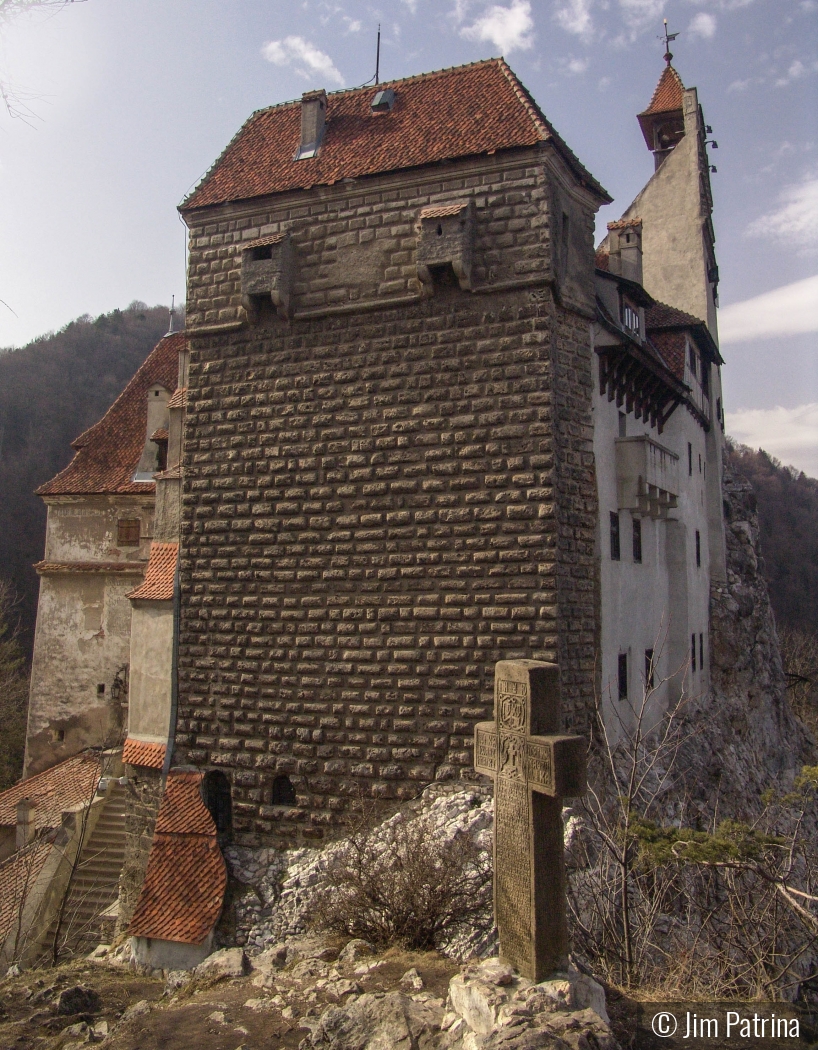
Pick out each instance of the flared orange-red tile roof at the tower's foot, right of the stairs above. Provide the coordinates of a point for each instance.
(186, 878)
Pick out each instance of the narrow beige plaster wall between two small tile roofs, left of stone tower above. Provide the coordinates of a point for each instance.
(152, 653)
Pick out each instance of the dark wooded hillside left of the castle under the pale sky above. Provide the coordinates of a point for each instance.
(51, 391)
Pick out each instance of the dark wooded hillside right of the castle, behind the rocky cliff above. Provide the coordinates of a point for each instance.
(788, 513)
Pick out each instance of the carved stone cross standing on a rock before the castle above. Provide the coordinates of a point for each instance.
(533, 773)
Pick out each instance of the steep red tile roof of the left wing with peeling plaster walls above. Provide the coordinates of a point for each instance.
(109, 453)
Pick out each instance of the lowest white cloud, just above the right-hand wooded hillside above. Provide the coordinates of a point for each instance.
(791, 435)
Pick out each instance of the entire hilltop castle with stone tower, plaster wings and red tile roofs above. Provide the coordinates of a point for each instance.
(416, 424)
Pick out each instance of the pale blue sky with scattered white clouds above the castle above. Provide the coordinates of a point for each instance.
(116, 109)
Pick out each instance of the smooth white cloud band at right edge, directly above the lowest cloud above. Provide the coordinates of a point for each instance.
(790, 310)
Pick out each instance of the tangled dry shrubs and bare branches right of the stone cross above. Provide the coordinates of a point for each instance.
(664, 906)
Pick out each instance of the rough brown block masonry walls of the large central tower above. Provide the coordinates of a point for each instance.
(385, 497)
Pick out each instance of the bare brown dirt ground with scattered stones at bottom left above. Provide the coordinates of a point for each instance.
(204, 1016)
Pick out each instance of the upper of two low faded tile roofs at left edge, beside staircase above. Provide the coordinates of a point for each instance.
(64, 787)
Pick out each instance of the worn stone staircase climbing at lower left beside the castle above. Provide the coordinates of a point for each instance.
(96, 883)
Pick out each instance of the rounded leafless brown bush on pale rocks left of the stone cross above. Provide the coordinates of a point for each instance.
(404, 884)
